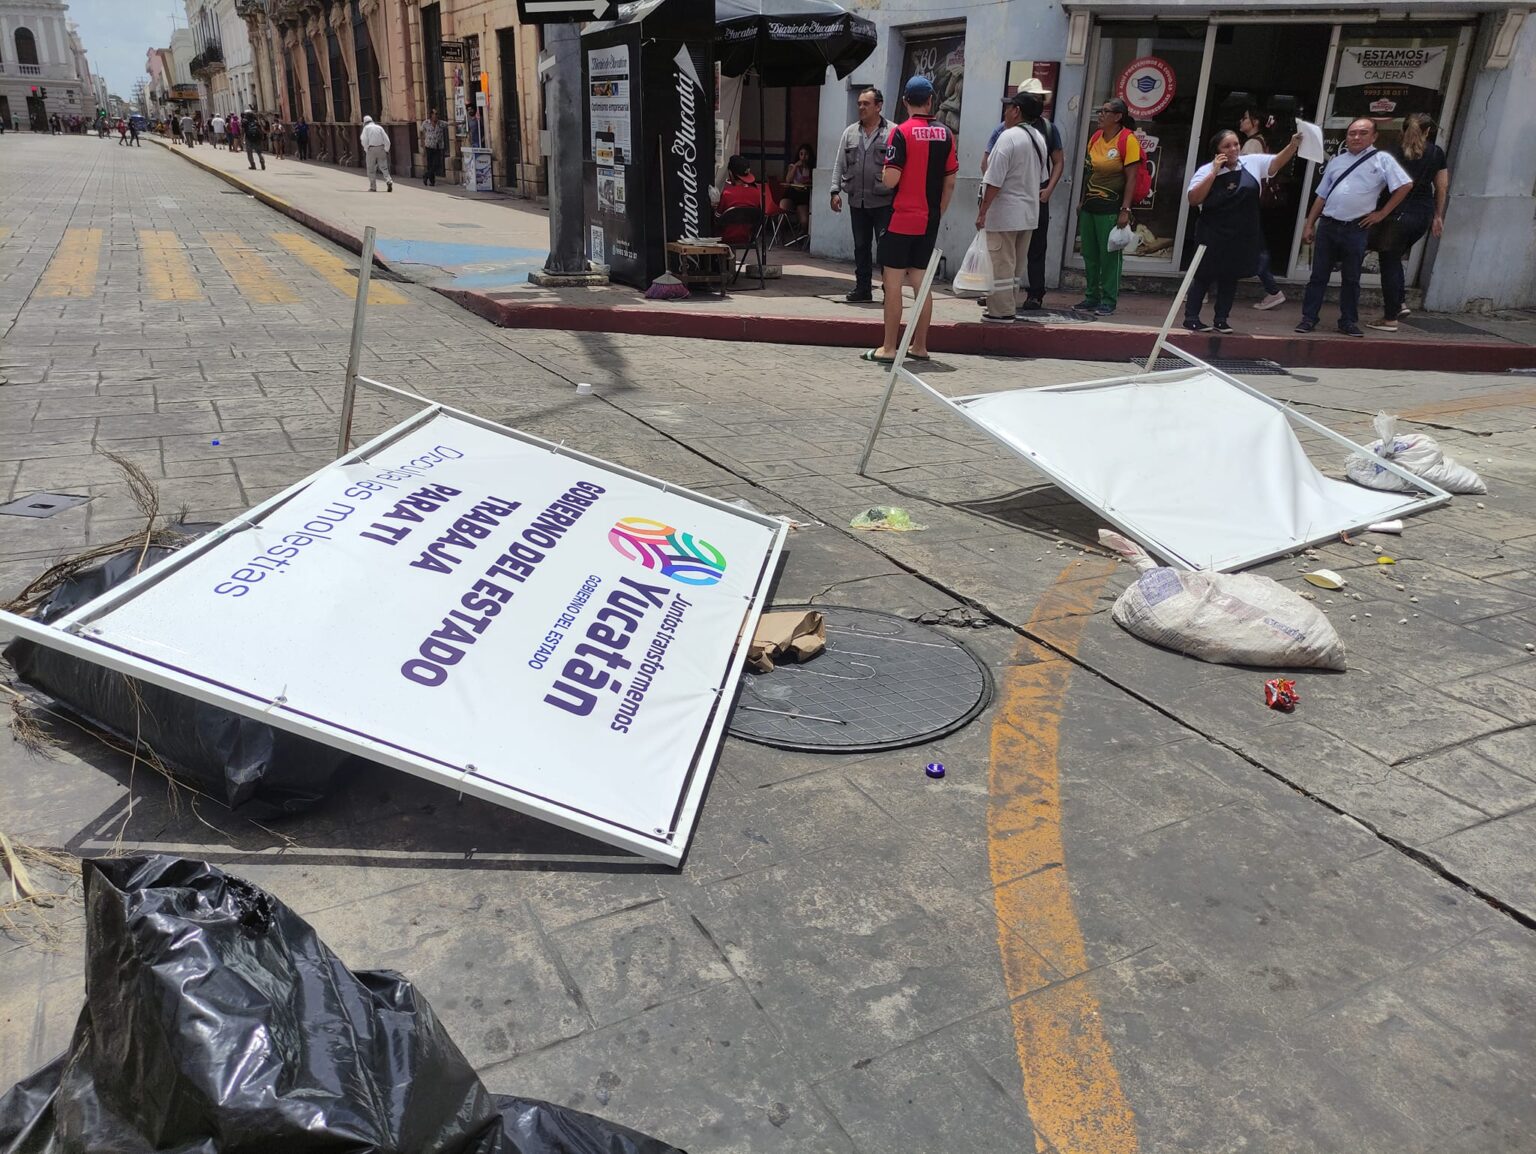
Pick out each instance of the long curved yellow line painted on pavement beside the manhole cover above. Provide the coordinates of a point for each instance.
(1071, 1084)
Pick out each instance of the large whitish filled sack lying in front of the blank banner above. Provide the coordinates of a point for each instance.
(1228, 618)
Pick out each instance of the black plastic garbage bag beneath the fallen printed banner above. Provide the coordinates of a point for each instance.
(247, 764)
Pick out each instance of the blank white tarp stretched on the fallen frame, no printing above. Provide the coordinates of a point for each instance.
(1200, 471)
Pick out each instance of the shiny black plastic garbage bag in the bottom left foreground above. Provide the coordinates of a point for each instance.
(217, 1023)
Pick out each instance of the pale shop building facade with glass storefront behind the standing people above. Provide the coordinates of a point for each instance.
(1471, 64)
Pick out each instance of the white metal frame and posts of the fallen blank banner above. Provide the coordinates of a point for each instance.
(1409, 506)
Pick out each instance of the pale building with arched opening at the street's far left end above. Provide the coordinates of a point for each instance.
(44, 68)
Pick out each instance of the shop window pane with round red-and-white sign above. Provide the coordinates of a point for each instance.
(1156, 70)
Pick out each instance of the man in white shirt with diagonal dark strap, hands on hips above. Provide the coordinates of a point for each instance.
(1343, 211)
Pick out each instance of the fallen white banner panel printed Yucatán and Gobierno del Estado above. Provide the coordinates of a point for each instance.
(528, 626)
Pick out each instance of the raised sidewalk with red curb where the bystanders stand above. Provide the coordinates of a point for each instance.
(478, 251)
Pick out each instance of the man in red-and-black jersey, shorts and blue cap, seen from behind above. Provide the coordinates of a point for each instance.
(921, 167)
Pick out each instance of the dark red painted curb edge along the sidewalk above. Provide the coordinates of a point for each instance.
(1024, 339)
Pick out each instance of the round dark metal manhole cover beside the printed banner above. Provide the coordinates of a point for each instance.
(881, 683)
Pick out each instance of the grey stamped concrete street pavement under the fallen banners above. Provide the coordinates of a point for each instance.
(1140, 914)
